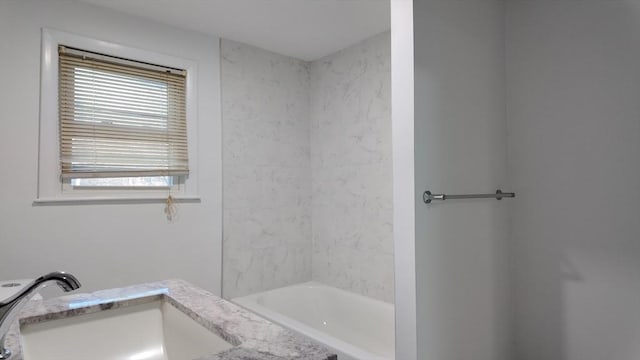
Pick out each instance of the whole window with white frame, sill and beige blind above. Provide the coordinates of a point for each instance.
(116, 123)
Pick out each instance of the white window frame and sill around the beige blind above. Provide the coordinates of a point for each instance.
(51, 188)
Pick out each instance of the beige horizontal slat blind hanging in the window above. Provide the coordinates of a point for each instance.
(120, 118)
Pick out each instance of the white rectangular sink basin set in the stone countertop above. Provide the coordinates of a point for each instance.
(153, 330)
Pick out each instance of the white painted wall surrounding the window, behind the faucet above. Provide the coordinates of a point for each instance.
(104, 245)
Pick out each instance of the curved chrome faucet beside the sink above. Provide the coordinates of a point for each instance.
(10, 307)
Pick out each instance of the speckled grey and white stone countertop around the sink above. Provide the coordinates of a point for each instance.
(253, 337)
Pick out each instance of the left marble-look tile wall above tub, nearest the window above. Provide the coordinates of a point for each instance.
(266, 174)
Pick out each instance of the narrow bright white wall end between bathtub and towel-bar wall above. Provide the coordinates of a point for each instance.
(404, 192)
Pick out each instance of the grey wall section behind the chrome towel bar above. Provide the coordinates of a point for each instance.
(460, 147)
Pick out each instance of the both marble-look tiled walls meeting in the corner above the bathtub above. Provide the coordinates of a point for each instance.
(307, 169)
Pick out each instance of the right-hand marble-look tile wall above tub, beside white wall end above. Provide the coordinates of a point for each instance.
(352, 194)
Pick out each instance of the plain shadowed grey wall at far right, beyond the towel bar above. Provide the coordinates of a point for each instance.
(574, 141)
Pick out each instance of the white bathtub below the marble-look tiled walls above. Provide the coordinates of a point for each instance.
(356, 327)
